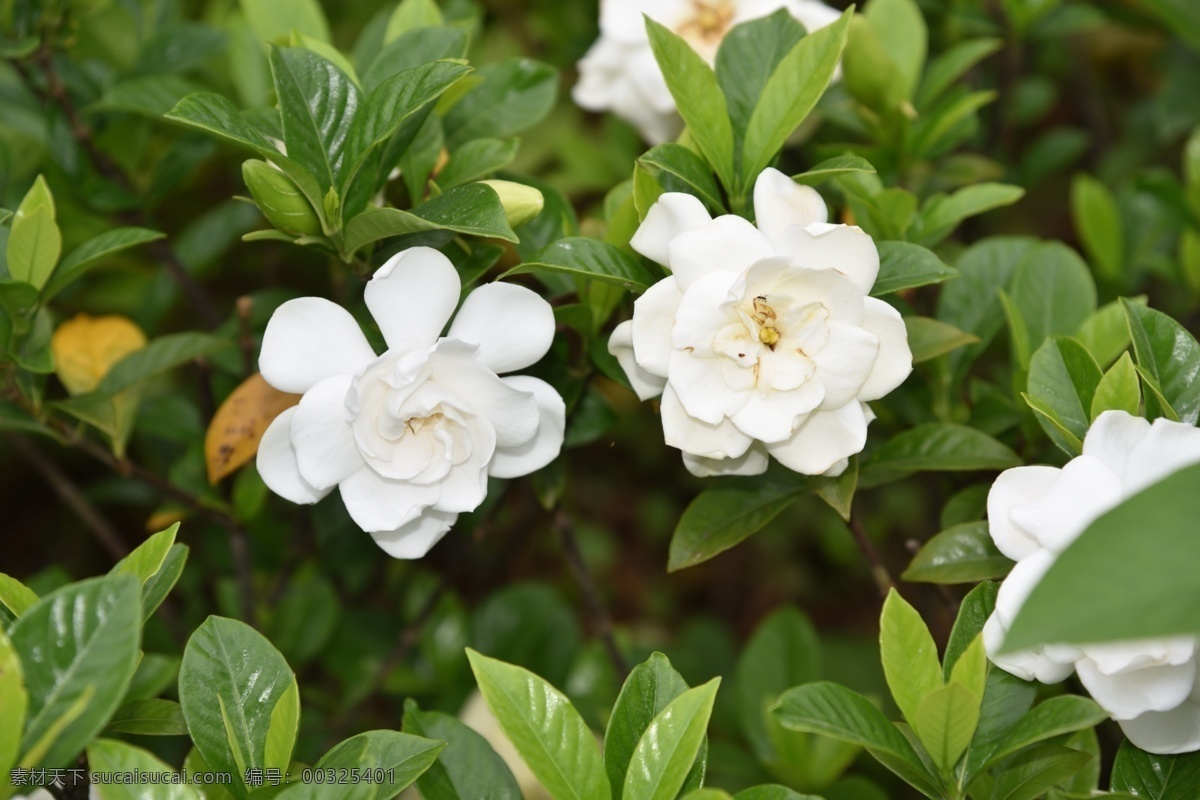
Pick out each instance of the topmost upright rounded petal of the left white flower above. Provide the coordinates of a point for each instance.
(413, 296)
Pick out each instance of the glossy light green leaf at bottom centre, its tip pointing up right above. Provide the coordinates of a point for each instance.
(668, 749)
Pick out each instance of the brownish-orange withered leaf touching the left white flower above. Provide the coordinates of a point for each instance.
(239, 425)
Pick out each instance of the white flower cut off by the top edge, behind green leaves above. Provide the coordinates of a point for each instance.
(620, 73)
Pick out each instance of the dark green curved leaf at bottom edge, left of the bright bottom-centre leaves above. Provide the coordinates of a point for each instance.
(467, 768)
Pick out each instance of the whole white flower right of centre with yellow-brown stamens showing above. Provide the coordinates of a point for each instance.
(764, 340)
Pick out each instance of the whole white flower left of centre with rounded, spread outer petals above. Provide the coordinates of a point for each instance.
(410, 437)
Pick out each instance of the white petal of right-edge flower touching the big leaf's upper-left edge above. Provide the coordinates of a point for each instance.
(1085, 490)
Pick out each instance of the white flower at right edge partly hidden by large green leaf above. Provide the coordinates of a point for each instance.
(1149, 687)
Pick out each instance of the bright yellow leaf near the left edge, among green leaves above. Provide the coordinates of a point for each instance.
(86, 348)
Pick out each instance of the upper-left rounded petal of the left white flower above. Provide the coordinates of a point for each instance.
(309, 340)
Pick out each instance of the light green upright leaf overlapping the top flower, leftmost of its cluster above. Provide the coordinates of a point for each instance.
(699, 98)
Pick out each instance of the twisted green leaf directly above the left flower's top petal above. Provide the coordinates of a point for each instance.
(475, 209)
